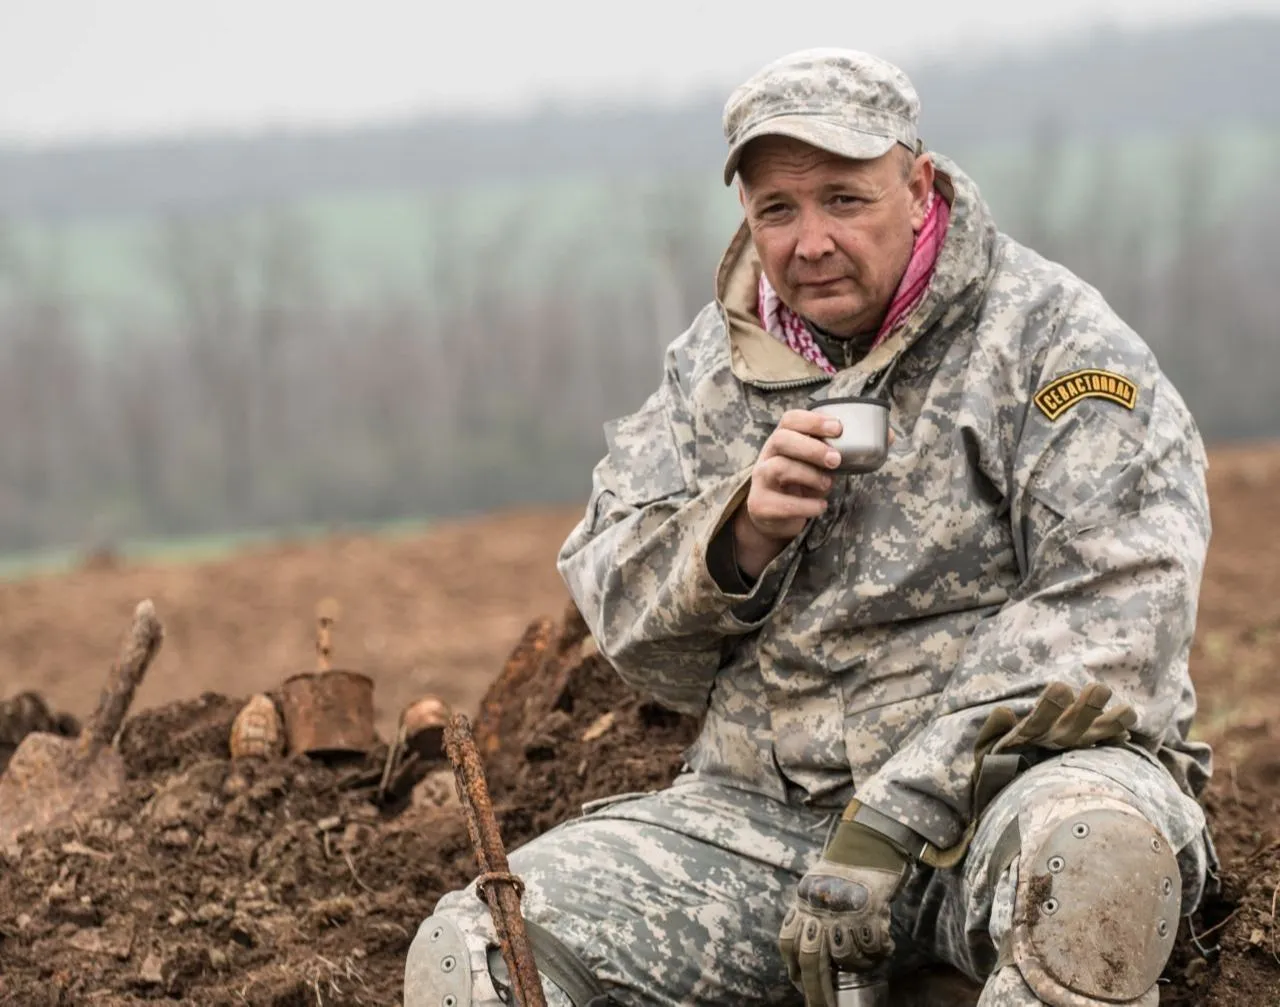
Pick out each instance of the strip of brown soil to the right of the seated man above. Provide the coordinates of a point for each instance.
(1235, 663)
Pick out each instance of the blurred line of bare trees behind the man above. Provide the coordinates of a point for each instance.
(260, 400)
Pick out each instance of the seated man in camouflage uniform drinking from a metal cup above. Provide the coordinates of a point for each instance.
(908, 753)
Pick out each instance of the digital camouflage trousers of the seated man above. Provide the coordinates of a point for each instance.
(676, 898)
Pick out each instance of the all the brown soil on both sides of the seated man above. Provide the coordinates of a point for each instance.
(220, 882)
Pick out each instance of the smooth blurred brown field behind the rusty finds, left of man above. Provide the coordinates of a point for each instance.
(431, 614)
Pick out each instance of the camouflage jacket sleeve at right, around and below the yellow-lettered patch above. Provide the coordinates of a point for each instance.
(1110, 524)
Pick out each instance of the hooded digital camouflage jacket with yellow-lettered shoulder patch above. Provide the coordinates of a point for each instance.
(1043, 516)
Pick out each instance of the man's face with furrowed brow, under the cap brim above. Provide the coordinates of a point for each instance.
(834, 236)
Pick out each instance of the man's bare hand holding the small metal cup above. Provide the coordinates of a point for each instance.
(789, 488)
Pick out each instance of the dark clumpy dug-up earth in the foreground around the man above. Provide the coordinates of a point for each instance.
(287, 884)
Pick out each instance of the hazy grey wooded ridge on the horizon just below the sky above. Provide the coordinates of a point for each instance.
(1108, 84)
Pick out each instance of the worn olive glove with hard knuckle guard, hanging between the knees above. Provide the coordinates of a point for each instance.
(842, 913)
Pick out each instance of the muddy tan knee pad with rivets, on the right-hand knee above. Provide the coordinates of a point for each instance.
(1096, 910)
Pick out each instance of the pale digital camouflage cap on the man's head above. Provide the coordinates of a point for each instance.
(839, 100)
